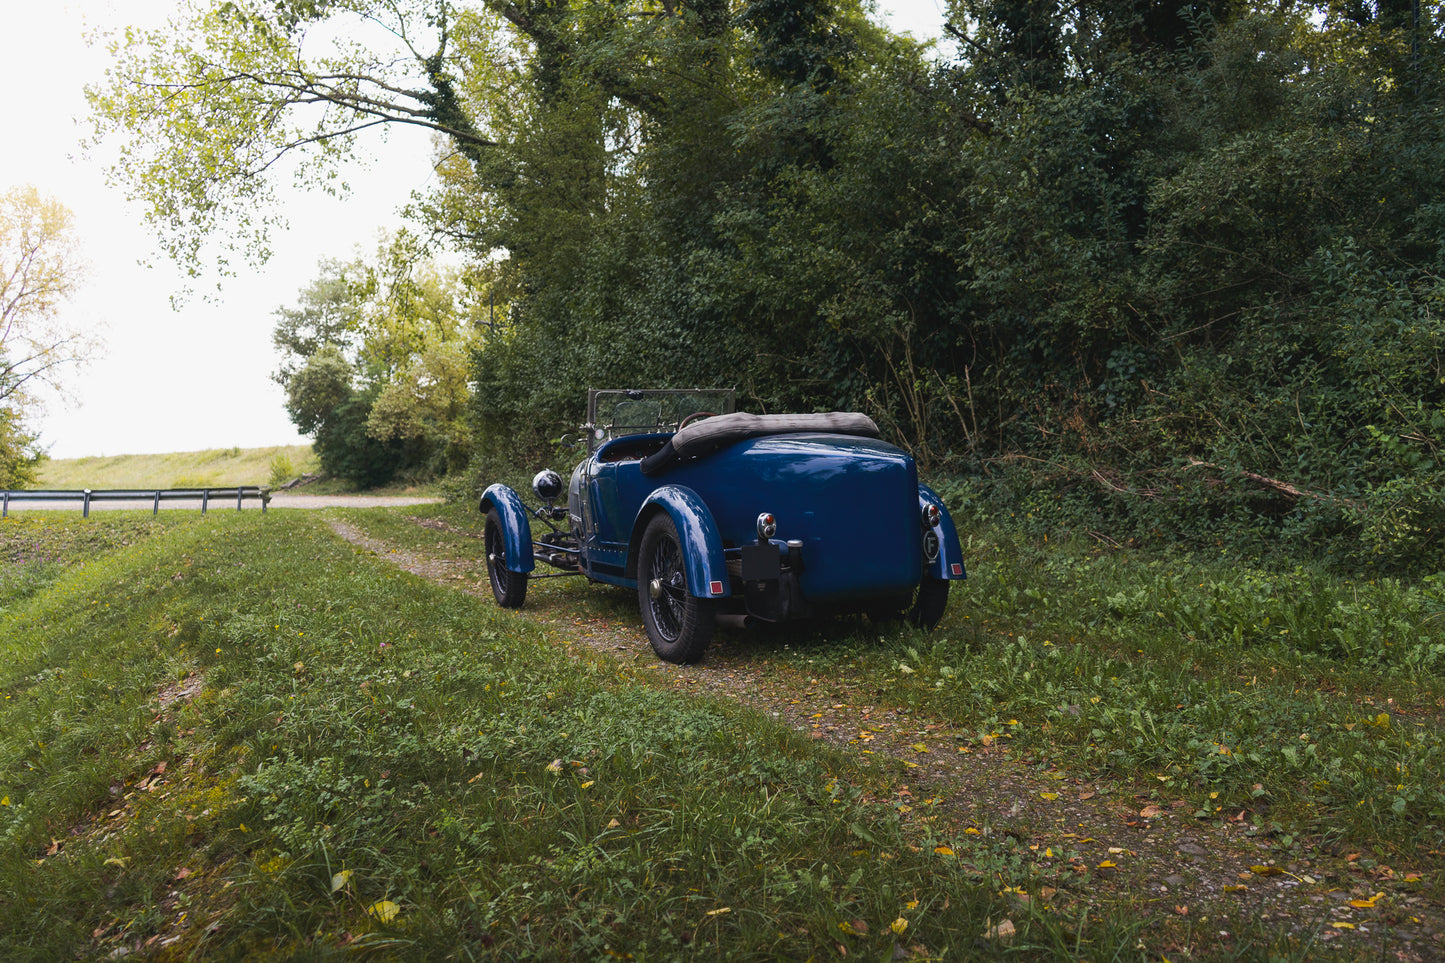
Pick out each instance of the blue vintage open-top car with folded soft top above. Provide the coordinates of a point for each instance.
(720, 517)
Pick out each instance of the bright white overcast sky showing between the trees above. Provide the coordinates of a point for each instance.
(197, 377)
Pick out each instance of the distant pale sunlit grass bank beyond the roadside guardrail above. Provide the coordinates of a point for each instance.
(216, 468)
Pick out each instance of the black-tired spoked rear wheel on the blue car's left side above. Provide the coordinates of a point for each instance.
(680, 625)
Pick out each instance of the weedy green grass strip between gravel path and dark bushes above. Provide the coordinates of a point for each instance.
(1311, 699)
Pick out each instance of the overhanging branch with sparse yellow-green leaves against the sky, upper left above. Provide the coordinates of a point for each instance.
(207, 111)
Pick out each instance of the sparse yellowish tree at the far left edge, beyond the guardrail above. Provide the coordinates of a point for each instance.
(40, 268)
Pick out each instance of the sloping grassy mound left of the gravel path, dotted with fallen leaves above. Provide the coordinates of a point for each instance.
(359, 740)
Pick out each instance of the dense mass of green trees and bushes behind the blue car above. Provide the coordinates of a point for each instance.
(1158, 270)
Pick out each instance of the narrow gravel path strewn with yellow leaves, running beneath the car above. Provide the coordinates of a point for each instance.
(1090, 842)
